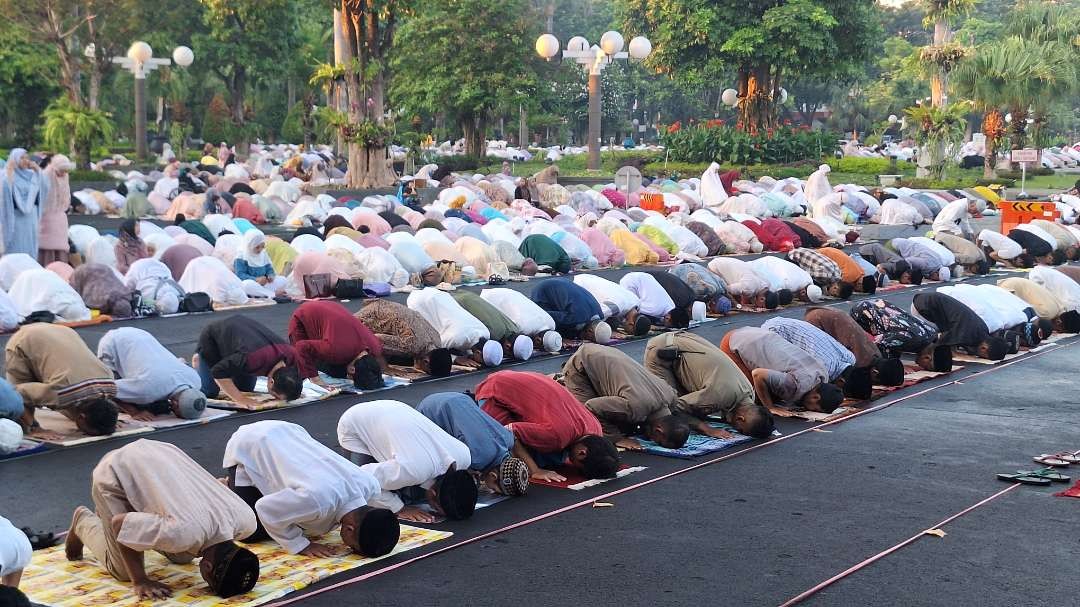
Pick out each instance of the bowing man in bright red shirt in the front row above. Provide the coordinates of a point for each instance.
(549, 425)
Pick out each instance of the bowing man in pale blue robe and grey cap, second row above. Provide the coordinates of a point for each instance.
(151, 380)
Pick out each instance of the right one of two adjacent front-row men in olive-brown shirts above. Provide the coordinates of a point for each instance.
(708, 383)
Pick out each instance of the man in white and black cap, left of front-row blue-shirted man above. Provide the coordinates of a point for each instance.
(414, 461)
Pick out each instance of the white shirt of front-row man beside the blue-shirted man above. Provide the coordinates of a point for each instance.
(409, 449)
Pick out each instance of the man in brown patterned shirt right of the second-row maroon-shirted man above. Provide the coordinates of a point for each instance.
(408, 340)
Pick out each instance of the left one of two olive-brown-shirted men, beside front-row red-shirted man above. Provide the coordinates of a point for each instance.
(626, 398)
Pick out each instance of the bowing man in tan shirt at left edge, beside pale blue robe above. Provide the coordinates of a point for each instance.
(51, 367)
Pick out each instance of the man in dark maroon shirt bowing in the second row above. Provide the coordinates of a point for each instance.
(337, 344)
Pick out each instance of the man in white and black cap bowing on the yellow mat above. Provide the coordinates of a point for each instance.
(298, 485)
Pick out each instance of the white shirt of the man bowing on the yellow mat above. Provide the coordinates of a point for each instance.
(306, 487)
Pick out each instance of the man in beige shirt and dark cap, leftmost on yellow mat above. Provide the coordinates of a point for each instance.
(152, 496)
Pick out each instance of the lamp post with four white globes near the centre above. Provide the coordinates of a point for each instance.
(595, 59)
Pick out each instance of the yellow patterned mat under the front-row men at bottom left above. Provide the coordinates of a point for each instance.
(52, 581)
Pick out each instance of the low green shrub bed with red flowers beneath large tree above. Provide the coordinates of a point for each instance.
(706, 143)
